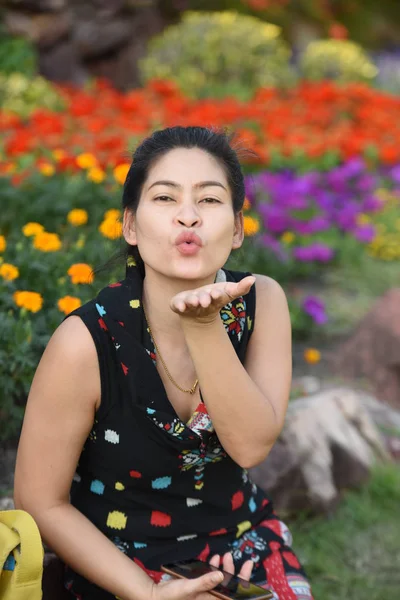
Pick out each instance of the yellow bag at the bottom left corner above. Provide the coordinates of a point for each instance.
(21, 557)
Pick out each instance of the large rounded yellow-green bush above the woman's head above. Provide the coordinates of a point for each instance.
(219, 53)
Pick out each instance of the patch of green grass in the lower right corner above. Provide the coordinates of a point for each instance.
(355, 555)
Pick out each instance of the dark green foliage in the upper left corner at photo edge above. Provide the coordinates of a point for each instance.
(16, 55)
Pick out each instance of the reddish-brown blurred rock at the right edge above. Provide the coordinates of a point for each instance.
(373, 352)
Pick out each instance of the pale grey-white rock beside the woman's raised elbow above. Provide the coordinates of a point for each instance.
(329, 443)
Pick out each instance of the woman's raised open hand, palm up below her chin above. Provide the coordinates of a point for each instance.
(203, 304)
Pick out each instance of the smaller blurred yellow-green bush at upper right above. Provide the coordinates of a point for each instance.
(341, 60)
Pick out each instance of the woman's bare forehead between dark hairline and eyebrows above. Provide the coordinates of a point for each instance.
(187, 165)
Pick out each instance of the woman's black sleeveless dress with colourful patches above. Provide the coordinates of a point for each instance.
(160, 489)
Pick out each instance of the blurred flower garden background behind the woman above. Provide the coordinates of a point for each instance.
(312, 87)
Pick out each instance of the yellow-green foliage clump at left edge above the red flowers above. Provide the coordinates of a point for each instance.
(22, 95)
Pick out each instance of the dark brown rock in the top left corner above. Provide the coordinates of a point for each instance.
(44, 29)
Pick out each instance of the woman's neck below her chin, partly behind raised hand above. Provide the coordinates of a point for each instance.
(158, 291)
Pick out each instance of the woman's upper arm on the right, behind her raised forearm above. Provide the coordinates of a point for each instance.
(269, 352)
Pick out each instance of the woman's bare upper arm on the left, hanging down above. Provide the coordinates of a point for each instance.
(58, 418)
